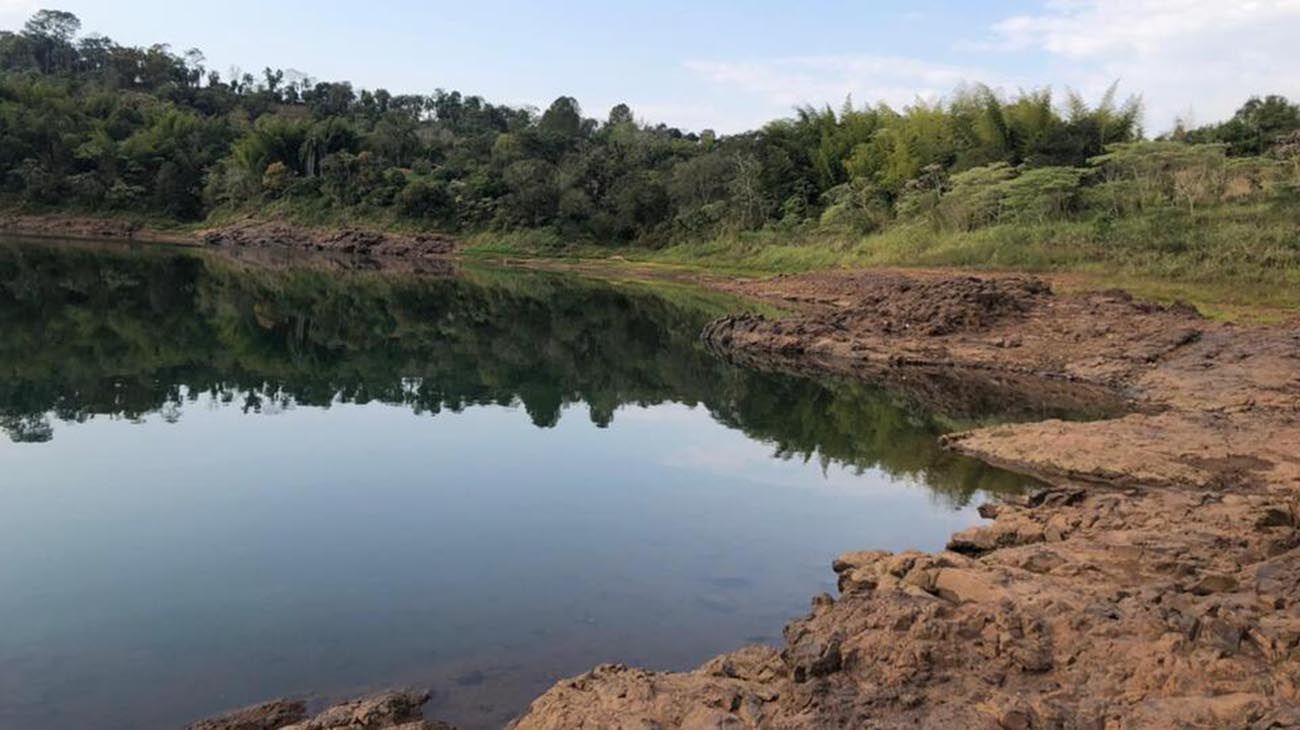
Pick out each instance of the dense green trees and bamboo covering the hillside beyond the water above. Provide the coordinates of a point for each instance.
(98, 127)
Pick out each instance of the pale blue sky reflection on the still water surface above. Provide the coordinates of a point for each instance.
(154, 572)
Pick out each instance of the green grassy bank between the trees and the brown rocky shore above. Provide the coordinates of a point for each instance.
(1236, 262)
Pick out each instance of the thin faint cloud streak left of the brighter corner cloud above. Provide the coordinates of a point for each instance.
(818, 80)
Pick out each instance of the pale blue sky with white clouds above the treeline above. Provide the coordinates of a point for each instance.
(734, 66)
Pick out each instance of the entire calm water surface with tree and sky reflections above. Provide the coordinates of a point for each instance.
(224, 483)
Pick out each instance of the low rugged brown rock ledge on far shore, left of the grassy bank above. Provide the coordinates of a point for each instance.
(335, 241)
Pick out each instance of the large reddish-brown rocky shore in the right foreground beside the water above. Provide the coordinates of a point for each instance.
(1155, 584)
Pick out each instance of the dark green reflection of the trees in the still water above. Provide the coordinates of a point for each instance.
(109, 332)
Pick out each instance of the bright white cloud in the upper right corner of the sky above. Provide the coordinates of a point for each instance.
(1201, 57)
